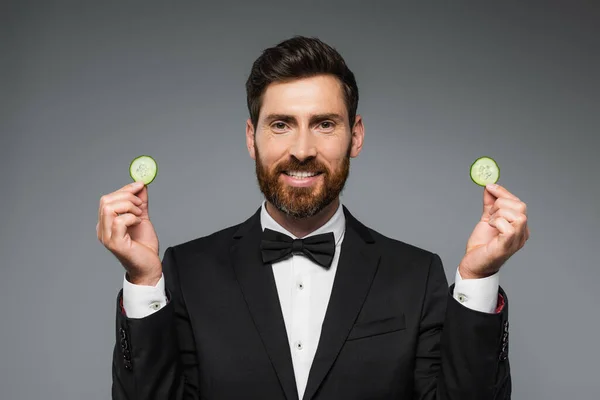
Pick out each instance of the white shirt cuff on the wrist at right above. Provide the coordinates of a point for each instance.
(478, 294)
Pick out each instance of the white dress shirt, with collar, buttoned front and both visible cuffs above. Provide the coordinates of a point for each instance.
(304, 289)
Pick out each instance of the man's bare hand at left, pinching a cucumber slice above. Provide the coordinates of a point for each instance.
(125, 229)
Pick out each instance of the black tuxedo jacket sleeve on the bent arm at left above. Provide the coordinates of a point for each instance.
(155, 357)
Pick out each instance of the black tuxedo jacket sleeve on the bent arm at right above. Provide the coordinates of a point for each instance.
(462, 354)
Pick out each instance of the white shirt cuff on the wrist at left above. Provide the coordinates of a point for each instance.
(139, 301)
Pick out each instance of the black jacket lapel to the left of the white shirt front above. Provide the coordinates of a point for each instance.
(260, 292)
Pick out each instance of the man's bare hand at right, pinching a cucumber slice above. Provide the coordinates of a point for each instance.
(501, 232)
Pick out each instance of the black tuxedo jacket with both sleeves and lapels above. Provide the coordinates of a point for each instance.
(391, 331)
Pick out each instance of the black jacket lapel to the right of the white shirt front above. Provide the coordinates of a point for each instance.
(357, 266)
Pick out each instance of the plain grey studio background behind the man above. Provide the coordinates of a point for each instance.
(87, 86)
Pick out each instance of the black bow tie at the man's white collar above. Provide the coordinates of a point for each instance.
(276, 246)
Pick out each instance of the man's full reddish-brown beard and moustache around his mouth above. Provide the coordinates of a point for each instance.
(302, 202)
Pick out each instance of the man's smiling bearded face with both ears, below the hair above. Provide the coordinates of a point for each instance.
(302, 144)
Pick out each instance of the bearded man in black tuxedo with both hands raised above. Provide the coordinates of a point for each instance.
(303, 301)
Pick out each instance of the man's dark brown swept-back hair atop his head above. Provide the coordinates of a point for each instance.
(298, 57)
